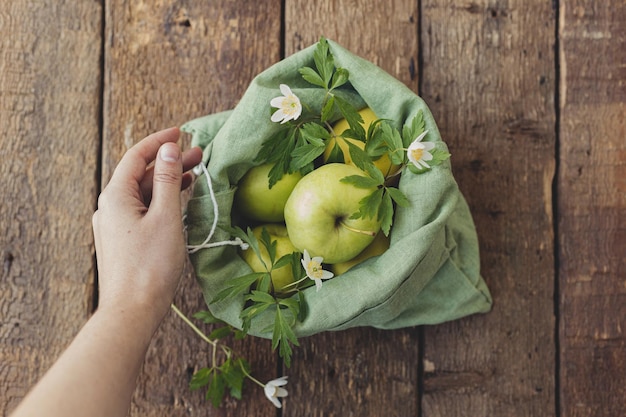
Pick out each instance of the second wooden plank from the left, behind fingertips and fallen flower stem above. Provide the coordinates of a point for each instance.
(167, 62)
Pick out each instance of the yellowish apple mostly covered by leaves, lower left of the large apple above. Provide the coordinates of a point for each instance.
(281, 276)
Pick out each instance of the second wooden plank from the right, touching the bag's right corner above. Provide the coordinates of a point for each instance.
(489, 77)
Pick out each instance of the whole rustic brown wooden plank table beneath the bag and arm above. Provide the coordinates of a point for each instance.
(528, 94)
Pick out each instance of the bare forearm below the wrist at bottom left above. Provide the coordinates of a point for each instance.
(96, 375)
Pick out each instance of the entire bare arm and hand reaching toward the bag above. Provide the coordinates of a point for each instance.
(138, 218)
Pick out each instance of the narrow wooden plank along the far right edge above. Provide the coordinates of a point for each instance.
(592, 208)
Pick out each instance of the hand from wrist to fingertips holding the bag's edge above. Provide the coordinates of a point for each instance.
(138, 227)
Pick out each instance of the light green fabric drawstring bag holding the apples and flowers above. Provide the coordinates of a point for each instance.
(431, 272)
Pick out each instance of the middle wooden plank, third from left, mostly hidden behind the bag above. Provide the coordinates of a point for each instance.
(360, 371)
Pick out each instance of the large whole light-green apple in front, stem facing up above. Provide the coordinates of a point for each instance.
(317, 214)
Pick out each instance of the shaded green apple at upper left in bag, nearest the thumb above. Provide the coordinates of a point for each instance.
(256, 201)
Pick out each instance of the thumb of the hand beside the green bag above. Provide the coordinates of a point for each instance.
(168, 173)
